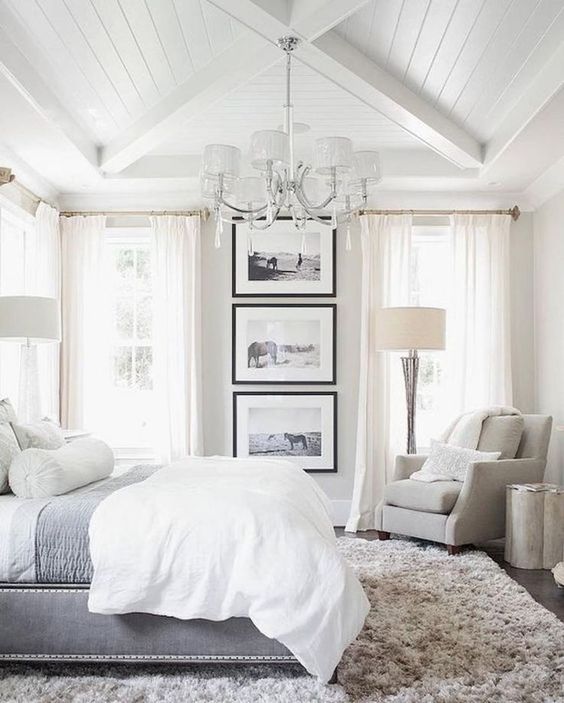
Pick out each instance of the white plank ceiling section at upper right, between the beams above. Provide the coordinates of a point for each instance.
(470, 58)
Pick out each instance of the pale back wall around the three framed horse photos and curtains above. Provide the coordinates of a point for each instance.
(218, 389)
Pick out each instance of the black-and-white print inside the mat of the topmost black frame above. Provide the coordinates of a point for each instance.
(285, 257)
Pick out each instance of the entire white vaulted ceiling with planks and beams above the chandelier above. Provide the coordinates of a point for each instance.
(105, 97)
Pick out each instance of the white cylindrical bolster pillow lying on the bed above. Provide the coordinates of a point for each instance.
(40, 473)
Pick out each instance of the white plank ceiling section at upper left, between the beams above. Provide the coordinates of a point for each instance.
(109, 61)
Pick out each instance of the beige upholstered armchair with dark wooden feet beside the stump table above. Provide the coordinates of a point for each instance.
(456, 513)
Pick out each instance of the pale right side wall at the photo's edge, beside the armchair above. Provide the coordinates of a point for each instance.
(549, 323)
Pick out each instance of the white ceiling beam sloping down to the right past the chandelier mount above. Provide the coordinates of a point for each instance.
(347, 67)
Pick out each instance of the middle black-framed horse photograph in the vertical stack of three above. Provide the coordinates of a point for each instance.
(289, 344)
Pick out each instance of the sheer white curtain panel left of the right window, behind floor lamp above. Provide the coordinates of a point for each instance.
(386, 248)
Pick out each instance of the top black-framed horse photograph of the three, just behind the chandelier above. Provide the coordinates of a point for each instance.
(283, 261)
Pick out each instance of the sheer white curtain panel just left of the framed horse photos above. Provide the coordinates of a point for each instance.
(177, 335)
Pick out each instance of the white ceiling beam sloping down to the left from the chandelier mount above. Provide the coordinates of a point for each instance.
(244, 59)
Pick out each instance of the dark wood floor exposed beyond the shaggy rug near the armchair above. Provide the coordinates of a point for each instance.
(539, 582)
